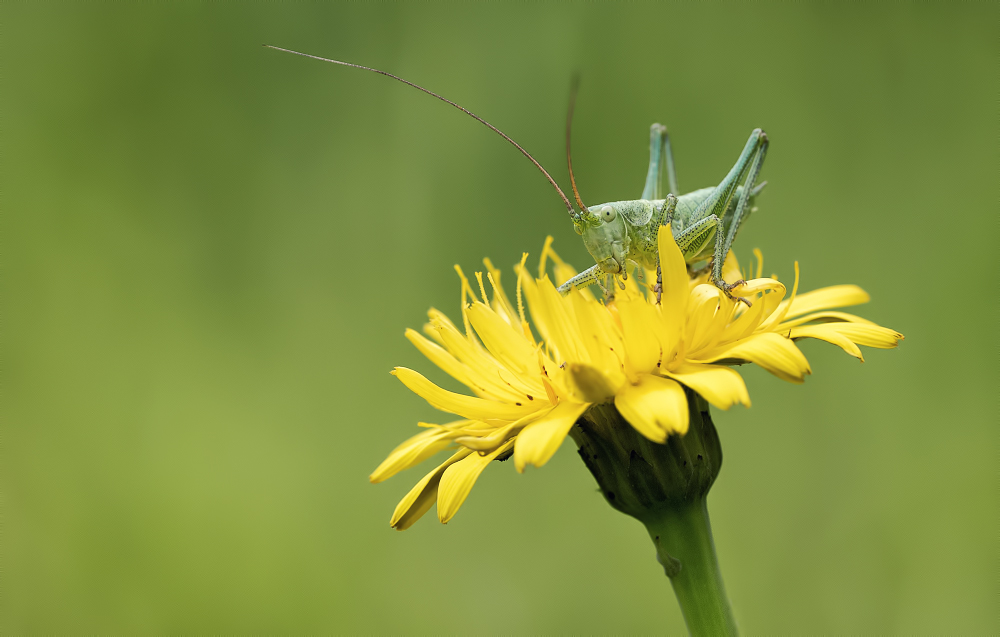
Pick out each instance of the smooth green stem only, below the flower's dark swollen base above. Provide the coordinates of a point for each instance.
(684, 546)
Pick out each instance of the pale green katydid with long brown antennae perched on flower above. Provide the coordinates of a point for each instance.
(623, 234)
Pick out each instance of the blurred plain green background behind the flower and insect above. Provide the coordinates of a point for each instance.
(211, 251)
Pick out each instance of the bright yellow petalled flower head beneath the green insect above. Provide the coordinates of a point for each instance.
(527, 393)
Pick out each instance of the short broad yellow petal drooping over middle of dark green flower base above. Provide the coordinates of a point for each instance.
(656, 407)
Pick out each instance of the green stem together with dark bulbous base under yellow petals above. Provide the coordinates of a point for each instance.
(665, 486)
